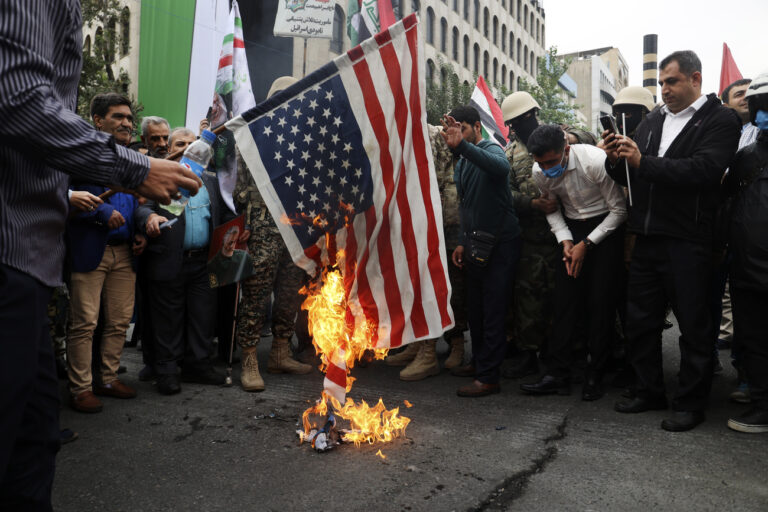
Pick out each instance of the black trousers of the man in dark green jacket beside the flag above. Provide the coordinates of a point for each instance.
(489, 290)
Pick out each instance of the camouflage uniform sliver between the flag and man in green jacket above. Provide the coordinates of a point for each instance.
(444, 162)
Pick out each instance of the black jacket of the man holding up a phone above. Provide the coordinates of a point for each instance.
(677, 195)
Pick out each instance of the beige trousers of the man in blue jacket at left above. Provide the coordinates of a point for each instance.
(110, 285)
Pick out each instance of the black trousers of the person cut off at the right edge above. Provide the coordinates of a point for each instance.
(750, 324)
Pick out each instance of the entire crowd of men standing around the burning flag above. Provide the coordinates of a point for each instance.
(566, 253)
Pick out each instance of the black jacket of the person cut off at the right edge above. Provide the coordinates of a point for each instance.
(747, 181)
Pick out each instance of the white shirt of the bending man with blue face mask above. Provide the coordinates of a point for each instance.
(585, 190)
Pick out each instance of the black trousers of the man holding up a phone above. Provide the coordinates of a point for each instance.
(666, 269)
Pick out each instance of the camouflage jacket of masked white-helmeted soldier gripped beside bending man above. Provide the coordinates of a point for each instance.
(533, 222)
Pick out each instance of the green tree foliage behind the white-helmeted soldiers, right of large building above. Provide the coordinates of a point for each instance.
(546, 91)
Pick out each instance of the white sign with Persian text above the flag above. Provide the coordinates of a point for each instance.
(304, 18)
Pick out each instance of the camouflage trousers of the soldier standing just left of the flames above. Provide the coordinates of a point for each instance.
(274, 272)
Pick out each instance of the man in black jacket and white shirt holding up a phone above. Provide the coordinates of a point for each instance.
(677, 160)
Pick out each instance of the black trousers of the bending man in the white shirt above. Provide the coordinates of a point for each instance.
(585, 307)
